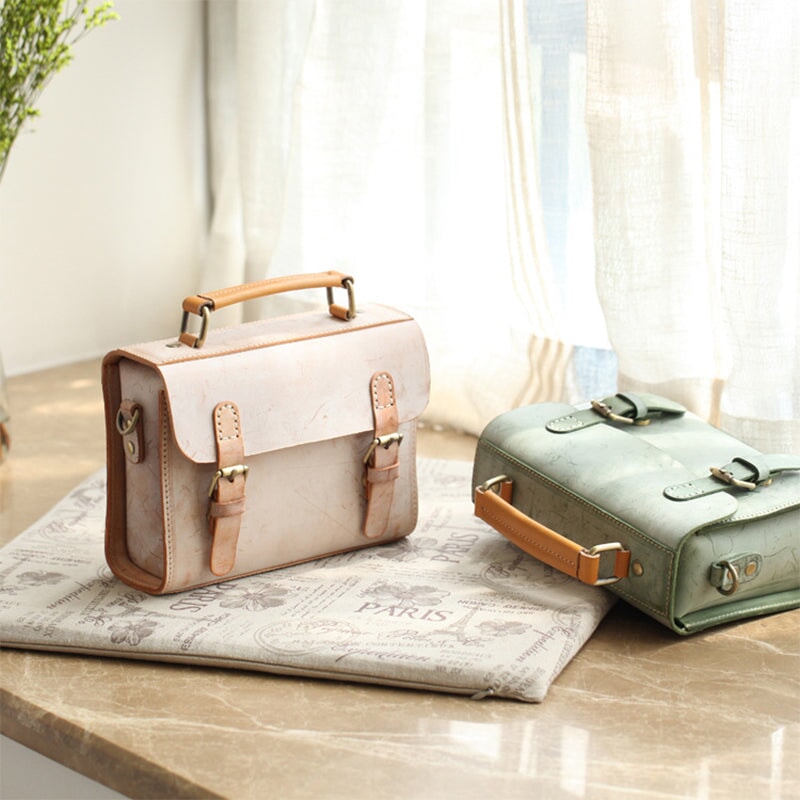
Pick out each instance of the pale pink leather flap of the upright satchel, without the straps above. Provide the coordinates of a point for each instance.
(297, 379)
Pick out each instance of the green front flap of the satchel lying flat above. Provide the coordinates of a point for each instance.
(625, 470)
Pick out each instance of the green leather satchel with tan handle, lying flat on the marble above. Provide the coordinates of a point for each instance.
(635, 493)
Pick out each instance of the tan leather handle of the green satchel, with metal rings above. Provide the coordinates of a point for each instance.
(543, 543)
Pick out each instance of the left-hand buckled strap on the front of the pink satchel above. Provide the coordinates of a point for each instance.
(226, 504)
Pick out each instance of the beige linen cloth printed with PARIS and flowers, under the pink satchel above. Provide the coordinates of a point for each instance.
(454, 607)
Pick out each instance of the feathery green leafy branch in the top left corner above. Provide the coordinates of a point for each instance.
(36, 40)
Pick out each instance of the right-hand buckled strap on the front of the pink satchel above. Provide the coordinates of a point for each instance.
(382, 465)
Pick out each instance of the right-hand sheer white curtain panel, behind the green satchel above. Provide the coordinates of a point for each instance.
(693, 113)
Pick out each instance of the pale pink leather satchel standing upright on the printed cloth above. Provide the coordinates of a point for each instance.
(264, 444)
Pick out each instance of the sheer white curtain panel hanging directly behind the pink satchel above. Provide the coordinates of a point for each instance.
(392, 140)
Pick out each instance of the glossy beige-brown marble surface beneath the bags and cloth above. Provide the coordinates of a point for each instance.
(639, 713)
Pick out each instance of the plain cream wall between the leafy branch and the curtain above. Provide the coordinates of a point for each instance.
(103, 209)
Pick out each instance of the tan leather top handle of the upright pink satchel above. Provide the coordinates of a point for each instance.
(203, 304)
